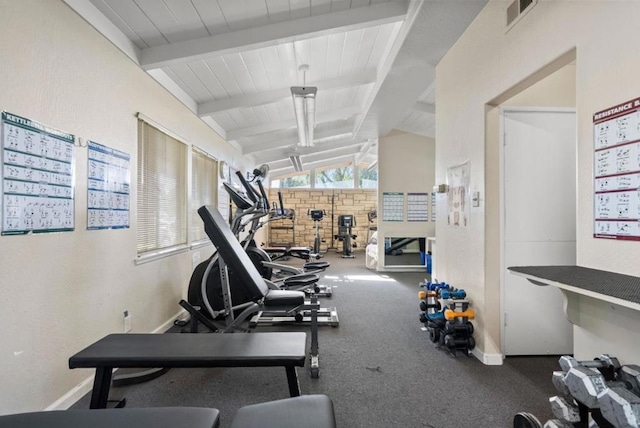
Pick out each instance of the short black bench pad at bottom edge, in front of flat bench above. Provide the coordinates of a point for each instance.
(308, 411)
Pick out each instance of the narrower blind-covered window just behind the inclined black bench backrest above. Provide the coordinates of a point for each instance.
(204, 182)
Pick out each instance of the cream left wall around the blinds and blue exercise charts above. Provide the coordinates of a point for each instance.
(60, 292)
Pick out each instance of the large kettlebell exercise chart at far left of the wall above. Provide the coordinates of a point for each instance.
(37, 177)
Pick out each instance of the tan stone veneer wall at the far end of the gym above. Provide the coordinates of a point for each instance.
(346, 201)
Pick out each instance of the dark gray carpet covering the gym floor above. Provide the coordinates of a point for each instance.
(378, 367)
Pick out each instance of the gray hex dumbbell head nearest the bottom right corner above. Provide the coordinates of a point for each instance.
(620, 406)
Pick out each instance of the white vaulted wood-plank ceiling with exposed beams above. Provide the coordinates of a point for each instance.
(233, 62)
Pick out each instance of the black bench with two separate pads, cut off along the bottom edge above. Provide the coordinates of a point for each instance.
(310, 411)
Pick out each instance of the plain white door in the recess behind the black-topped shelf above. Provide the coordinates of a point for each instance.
(539, 226)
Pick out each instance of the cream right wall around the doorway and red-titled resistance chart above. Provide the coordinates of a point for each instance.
(485, 64)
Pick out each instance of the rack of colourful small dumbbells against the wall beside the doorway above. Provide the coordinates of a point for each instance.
(448, 324)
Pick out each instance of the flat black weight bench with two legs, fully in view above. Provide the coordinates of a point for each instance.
(286, 350)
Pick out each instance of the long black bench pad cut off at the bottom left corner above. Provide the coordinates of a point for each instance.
(159, 417)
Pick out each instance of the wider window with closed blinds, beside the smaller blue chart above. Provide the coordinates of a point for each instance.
(162, 191)
